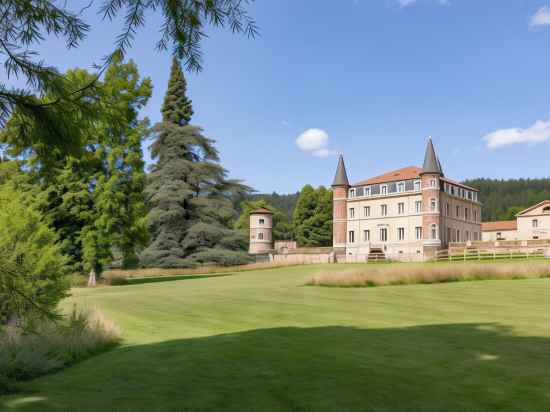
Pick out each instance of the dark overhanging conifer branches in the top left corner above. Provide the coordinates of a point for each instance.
(24, 24)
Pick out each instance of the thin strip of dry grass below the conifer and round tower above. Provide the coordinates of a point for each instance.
(112, 274)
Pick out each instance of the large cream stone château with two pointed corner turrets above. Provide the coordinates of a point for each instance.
(404, 214)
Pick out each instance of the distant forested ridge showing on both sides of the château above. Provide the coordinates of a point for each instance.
(502, 199)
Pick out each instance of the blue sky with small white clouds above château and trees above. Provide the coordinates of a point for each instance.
(372, 78)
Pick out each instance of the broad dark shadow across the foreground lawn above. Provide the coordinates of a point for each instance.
(460, 367)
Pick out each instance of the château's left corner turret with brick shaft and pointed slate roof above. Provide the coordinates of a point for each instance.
(340, 187)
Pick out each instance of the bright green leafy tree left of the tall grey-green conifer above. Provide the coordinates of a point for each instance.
(94, 200)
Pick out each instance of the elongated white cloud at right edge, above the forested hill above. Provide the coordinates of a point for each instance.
(539, 132)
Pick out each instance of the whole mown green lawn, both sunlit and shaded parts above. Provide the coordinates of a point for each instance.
(261, 341)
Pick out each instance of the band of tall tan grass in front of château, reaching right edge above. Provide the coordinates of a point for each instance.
(431, 273)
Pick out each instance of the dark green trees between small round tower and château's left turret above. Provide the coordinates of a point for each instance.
(313, 217)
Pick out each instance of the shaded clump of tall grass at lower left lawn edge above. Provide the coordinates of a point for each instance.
(51, 346)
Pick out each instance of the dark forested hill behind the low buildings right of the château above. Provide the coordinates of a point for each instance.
(502, 199)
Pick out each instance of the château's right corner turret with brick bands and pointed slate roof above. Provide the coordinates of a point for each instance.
(431, 199)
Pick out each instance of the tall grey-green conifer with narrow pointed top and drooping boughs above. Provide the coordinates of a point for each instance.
(191, 209)
